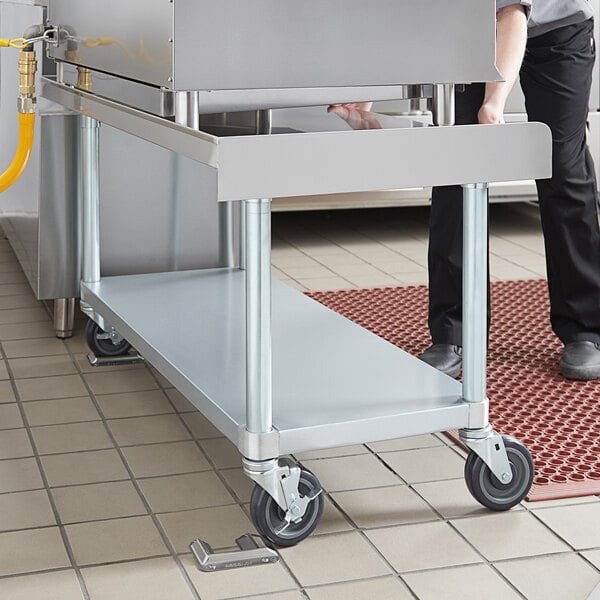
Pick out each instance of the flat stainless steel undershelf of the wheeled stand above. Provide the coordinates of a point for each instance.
(334, 383)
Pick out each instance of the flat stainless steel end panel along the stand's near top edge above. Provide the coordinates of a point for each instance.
(352, 161)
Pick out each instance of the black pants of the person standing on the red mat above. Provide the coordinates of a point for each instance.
(556, 78)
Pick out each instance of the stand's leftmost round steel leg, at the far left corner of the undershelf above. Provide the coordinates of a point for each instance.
(89, 184)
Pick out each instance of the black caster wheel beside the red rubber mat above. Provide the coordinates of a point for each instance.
(487, 489)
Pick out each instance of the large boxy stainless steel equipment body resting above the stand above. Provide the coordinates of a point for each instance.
(275, 44)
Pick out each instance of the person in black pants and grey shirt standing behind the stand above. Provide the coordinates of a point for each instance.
(555, 76)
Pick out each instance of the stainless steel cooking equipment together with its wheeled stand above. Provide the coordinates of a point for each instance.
(276, 372)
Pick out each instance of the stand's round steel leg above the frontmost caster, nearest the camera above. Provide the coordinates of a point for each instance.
(258, 316)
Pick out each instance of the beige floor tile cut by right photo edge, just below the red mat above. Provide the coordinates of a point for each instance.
(571, 523)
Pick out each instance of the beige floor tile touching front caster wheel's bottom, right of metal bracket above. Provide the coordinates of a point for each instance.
(333, 558)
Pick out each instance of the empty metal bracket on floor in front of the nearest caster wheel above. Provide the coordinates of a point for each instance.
(252, 551)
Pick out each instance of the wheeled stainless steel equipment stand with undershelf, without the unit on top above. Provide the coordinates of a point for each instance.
(277, 372)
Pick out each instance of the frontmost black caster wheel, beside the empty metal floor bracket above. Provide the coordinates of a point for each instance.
(269, 518)
